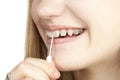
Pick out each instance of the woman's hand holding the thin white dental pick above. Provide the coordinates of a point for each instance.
(34, 69)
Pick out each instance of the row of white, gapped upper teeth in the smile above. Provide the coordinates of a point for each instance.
(63, 33)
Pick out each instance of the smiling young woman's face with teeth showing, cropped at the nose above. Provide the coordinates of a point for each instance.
(86, 31)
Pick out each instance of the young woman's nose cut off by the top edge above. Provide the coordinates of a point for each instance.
(51, 8)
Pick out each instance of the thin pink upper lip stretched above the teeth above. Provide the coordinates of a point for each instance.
(59, 27)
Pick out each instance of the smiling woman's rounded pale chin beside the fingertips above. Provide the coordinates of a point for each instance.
(68, 63)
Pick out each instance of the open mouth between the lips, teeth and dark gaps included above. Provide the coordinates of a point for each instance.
(64, 33)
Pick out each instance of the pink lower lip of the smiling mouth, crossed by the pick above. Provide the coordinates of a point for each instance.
(63, 40)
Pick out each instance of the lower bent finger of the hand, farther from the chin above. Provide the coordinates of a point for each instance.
(27, 70)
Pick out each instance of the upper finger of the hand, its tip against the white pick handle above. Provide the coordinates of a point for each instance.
(49, 68)
